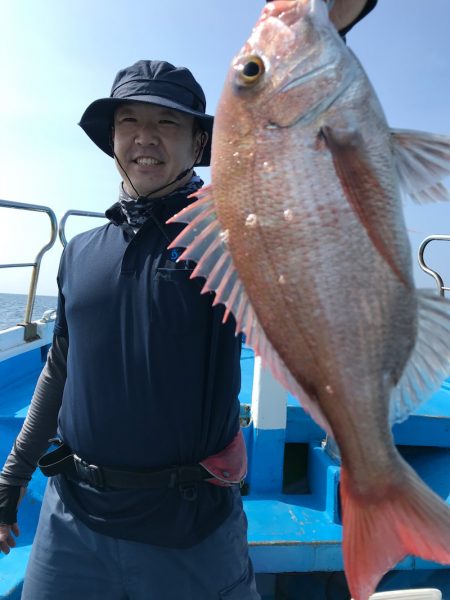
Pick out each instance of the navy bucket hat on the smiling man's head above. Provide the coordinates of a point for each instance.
(152, 82)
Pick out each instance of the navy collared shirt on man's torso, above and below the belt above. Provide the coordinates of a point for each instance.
(153, 378)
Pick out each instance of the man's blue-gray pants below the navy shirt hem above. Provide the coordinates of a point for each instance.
(70, 561)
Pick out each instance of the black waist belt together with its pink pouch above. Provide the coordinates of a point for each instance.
(216, 469)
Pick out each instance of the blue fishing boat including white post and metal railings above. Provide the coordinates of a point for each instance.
(291, 492)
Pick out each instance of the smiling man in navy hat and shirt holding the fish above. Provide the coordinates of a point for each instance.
(141, 383)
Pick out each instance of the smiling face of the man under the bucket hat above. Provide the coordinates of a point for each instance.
(153, 145)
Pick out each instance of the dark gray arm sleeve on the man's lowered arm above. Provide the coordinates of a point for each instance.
(42, 419)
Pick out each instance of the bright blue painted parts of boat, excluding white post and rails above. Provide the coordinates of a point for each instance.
(291, 495)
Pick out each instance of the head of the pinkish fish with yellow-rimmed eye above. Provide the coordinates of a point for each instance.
(290, 69)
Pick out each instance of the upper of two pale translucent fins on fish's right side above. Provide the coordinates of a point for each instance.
(422, 161)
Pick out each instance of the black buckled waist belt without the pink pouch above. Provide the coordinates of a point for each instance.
(64, 461)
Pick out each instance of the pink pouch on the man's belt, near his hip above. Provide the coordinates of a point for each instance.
(228, 467)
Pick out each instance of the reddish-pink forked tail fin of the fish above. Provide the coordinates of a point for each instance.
(409, 518)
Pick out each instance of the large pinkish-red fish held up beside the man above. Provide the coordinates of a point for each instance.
(301, 235)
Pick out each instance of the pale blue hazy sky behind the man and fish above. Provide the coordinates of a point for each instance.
(58, 56)
